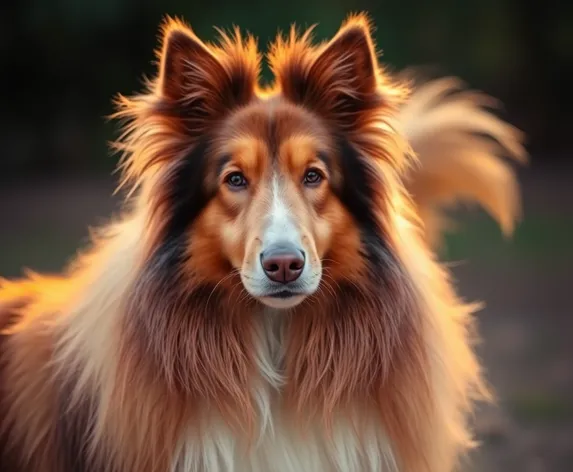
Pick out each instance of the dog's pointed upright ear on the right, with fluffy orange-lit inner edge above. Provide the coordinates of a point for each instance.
(340, 79)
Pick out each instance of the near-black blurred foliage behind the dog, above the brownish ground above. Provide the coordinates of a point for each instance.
(64, 60)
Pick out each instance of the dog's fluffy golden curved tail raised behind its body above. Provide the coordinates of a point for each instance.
(459, 145)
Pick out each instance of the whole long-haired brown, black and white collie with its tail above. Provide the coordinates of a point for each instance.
(270, 299)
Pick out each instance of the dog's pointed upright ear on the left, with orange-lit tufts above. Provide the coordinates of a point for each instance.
(204, 80)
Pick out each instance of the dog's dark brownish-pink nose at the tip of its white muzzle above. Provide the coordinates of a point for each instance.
(282, 263)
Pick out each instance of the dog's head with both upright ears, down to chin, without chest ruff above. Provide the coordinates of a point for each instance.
(270, 187)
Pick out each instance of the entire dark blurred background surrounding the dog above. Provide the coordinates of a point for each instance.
(64, 60)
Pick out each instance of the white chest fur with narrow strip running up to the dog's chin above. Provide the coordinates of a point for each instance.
(279, 448)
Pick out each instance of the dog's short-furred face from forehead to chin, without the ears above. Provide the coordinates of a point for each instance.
(276, 201)
